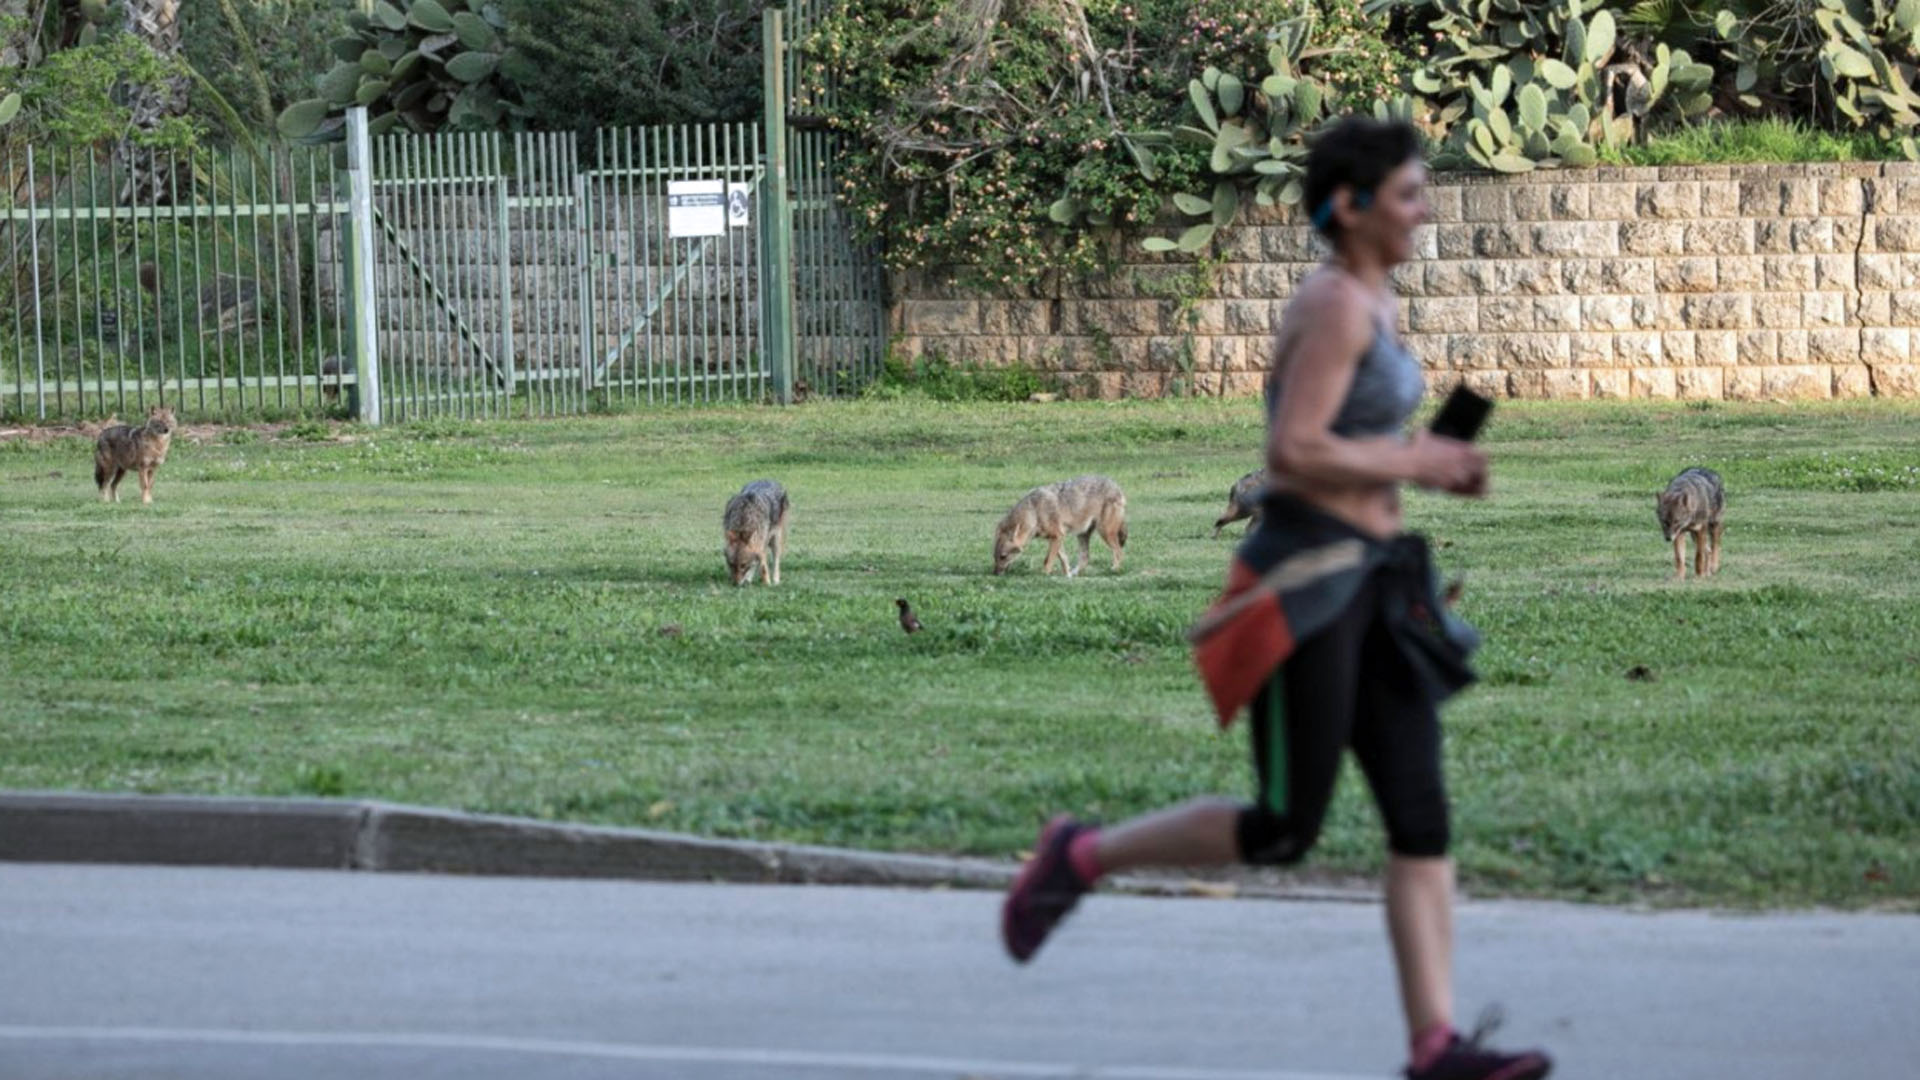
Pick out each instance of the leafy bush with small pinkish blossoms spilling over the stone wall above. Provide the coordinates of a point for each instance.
(951, 164)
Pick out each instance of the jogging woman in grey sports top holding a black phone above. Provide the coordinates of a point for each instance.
(1332, 633)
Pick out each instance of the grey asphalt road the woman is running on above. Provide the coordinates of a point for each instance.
(210, 975)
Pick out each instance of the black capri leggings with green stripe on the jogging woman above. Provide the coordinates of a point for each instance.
(1345, 687)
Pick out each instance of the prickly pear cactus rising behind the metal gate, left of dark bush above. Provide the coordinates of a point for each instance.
(429, 64)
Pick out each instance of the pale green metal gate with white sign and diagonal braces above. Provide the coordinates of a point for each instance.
(544, 276)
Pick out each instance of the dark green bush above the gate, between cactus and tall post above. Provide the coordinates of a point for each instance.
(648, 62)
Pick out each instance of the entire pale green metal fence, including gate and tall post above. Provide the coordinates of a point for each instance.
(473, 276)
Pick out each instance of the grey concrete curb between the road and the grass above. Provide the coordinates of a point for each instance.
(350, 835)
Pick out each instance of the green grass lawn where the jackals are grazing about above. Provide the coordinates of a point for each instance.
(533, 618)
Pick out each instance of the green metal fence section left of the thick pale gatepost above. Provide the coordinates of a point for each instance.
(185, 280)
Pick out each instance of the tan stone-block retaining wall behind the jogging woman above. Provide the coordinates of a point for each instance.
(1744, 282)
